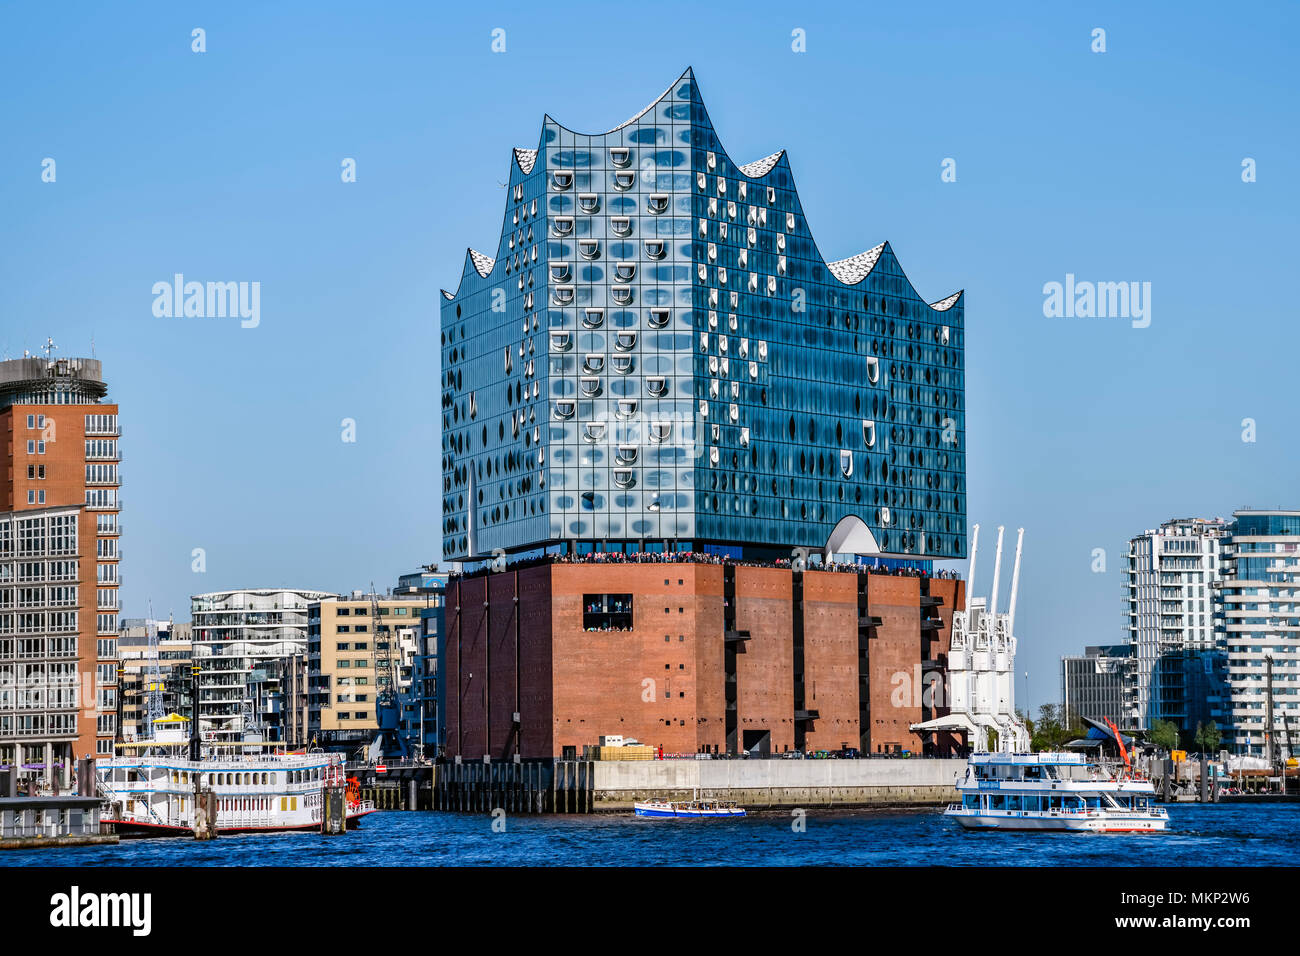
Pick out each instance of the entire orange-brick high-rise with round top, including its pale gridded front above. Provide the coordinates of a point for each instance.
(59, 456)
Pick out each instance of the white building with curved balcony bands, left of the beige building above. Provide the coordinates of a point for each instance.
(245, 642)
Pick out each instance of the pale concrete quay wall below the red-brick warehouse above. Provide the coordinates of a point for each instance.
(779, 784)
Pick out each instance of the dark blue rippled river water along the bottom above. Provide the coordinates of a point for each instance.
(1211, 836)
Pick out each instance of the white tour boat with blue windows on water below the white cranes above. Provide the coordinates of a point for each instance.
(1055, 791)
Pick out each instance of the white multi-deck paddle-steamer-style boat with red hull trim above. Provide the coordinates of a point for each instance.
(153, 793)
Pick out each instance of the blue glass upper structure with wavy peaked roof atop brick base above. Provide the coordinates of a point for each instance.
(658, 357)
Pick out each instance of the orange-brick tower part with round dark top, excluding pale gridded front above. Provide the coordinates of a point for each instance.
(60, 449)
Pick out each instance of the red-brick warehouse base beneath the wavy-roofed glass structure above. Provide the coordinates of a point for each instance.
(694, 657)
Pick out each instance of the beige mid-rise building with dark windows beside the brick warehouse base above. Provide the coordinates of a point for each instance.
(346, 676)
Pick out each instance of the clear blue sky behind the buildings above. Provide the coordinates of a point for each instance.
(1124, 166)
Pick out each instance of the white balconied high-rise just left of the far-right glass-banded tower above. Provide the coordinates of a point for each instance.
(1169, 604)
